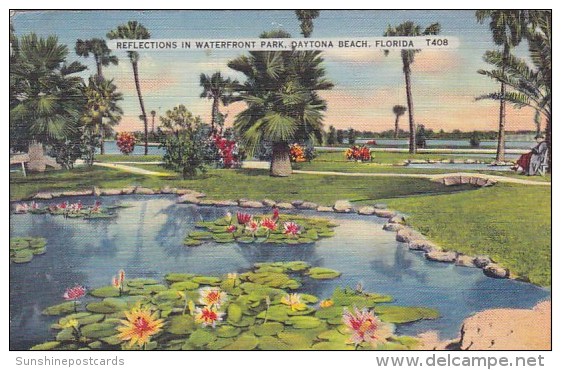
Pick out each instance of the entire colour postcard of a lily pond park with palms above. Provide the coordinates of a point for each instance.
(280, 180)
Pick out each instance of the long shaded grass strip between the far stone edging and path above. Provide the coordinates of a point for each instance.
(233, 184)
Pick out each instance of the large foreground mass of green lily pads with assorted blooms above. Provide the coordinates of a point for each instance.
(258, 309)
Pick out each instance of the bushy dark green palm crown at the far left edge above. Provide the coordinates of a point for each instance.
(47, 96)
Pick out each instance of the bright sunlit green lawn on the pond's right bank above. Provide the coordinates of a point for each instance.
(511, 223)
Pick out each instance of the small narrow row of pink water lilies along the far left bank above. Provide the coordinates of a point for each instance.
(69, 210)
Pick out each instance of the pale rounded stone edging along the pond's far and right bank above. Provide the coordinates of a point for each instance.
(396, 222)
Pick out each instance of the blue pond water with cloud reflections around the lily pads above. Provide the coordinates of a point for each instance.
(146, 240)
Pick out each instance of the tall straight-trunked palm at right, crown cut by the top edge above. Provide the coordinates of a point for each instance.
(507, 28)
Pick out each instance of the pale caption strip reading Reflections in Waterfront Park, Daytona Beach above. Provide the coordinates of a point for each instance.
(423, 42)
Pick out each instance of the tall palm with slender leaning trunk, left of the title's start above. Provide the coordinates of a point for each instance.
(134, 31)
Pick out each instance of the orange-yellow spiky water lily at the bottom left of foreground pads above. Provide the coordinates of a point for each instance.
(139, 326)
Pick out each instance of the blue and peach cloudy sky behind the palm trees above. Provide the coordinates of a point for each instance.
(367, 83)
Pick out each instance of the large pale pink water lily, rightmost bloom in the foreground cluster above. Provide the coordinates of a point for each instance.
(365, 326)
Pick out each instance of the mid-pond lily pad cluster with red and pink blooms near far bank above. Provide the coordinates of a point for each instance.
(273, 229)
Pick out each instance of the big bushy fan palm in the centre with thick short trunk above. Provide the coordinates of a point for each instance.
(283, 105)
